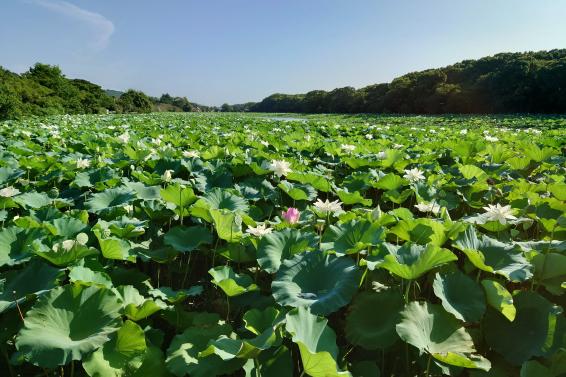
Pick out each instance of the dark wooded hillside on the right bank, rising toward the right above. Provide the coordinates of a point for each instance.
(531, 82)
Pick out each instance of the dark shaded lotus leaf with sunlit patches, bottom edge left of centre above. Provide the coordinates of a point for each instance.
(183, 353)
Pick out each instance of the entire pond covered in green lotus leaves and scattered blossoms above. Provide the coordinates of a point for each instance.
(239, 245)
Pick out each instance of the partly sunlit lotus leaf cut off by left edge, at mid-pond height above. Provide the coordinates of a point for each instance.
(16, 244)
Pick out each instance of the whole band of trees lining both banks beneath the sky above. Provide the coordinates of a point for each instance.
(506, 83)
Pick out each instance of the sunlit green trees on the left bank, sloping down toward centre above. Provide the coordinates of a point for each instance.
(44, 90)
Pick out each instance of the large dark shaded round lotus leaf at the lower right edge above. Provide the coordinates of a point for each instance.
(536, 330)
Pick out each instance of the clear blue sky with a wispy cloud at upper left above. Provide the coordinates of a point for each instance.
(216, 51)
